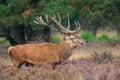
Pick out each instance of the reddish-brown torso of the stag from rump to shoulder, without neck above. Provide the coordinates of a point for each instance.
(34, 53)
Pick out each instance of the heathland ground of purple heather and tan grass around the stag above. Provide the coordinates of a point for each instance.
(93, 61)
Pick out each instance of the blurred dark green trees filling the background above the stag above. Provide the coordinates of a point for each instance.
(17, 16)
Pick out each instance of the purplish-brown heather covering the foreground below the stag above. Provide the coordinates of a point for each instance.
(84, 69)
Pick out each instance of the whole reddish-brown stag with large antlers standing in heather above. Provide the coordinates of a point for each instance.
(47, 53)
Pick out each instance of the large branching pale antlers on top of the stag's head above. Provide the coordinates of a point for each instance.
(60, 28)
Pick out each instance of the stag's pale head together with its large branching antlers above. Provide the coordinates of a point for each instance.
(70, 36)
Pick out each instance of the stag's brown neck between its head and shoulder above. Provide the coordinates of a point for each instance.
(65, 50)
